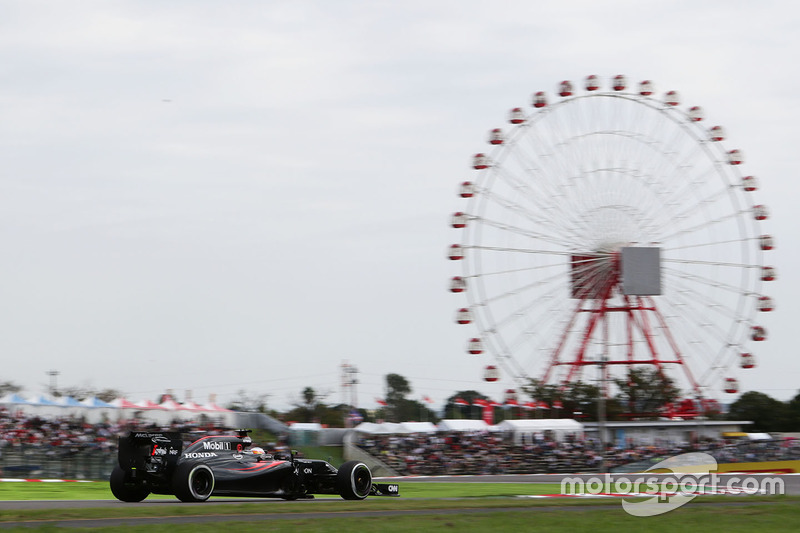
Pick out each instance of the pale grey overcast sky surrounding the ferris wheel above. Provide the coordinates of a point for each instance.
(216, 197)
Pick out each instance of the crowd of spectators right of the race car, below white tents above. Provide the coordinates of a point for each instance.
(455, 453)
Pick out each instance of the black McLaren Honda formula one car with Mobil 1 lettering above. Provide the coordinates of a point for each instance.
(219, 465)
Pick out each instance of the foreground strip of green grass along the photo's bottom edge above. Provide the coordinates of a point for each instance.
(778, 516)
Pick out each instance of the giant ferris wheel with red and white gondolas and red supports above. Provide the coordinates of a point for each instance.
(609, 228)
